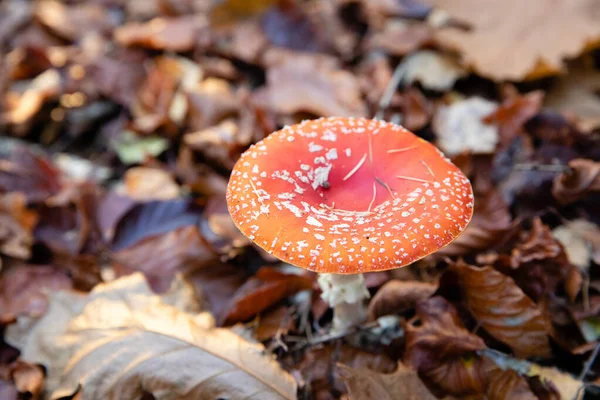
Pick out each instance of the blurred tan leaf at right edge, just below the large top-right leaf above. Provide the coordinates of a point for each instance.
(576, 95)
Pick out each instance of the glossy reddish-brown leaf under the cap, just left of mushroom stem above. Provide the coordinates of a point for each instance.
(262, 291)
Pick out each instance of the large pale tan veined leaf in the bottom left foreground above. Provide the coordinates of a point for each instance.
(122, 340)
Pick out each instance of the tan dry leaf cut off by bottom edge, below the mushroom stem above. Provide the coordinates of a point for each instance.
(403, 384)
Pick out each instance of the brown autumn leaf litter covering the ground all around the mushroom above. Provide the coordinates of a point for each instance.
(121, 121)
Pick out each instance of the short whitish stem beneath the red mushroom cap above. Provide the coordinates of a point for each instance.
(346, 295)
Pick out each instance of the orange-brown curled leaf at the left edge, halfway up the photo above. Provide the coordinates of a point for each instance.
(16, 226)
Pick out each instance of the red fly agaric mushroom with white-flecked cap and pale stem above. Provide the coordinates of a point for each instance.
(344, 196)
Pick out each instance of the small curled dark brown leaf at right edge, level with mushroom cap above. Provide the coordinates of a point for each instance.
(573, 185)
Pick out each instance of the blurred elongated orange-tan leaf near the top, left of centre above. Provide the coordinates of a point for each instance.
(171, 34)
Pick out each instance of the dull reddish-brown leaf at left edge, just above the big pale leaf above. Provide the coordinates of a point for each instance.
(24, 290)
